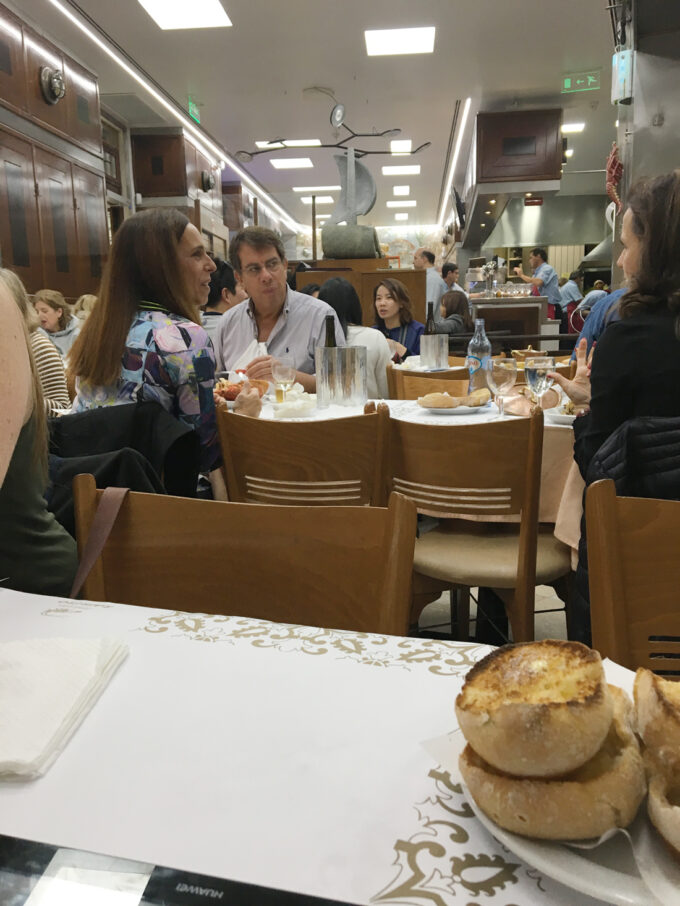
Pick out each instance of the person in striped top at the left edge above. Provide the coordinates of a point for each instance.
(48, 363)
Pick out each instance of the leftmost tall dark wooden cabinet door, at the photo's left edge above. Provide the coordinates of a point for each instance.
(19, 235)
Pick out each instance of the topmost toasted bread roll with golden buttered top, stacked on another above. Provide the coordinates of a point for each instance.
(538, 709)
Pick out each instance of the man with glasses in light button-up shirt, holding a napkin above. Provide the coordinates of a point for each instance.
(275, 319)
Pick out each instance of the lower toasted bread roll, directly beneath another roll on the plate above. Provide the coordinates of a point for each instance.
(603, 793)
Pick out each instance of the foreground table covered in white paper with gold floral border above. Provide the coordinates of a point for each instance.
(246, 761)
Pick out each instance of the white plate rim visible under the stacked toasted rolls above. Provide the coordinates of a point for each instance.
(607, 872)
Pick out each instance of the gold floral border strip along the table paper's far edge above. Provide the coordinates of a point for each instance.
(439, 657)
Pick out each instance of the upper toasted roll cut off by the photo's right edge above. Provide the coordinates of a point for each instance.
(657, 709)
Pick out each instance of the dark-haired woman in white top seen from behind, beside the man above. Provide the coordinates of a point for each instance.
(343, 299)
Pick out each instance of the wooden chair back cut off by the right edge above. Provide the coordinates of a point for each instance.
(634, 573)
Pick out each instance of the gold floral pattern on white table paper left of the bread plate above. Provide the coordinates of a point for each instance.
(442, 862)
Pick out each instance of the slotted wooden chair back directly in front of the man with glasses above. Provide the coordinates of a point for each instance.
(323, 463)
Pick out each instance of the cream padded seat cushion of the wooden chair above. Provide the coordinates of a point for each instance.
(486, 554)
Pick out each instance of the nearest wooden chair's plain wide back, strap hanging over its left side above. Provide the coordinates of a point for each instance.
(336, 567)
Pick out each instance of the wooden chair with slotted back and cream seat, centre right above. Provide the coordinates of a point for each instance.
(490, 469)
